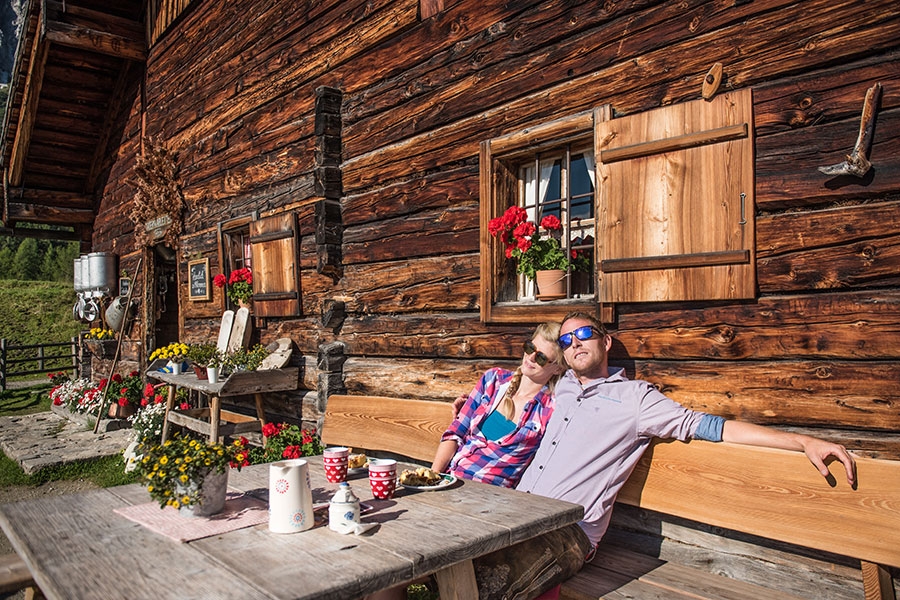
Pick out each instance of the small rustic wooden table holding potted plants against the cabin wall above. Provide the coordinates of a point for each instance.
(209, 421)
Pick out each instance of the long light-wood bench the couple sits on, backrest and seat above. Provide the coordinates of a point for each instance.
(771, 494)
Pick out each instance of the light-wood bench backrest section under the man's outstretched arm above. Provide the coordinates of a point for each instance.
(775, 494)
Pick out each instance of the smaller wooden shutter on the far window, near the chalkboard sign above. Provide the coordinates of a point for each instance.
(276, 275)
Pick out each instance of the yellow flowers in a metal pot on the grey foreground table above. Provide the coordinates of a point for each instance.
(188, 474)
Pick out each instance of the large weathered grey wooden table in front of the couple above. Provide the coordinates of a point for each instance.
(77, 547)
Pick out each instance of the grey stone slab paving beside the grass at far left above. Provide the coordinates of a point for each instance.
(53, 438)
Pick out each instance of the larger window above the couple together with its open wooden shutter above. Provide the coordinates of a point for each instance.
(660, 204)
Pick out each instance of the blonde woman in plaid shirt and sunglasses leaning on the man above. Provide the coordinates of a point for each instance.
(500, 426)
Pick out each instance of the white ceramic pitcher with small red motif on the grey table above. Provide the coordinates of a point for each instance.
(290, 497)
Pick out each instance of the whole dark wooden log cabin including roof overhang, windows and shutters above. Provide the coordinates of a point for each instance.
(352, 153)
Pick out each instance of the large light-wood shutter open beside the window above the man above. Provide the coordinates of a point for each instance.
(676, 202)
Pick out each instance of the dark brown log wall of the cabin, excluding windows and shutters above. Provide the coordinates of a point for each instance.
(231, 88)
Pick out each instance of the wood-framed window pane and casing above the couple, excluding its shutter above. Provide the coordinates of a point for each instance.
(548, 170)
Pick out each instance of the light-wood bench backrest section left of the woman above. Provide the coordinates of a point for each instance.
(410, 428)
